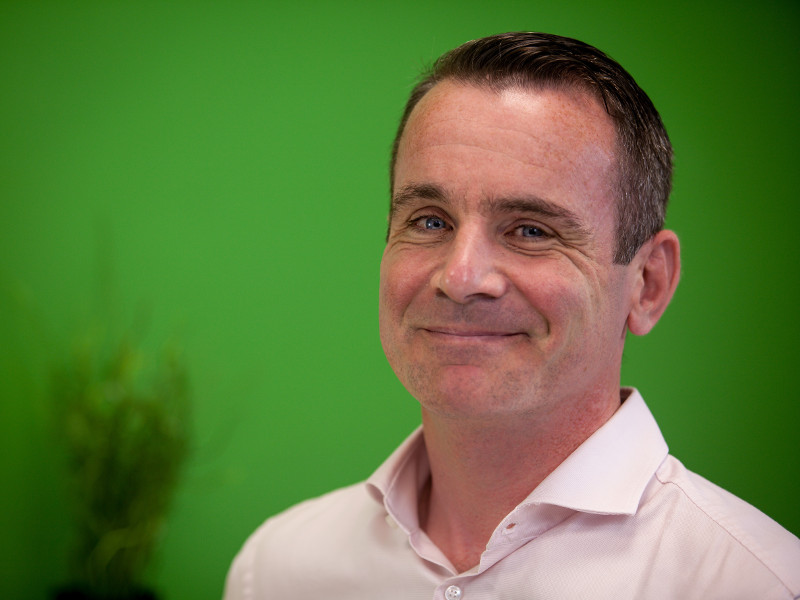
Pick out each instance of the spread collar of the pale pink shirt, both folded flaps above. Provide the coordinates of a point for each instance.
(607, 474)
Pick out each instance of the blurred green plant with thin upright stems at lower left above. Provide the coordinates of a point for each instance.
(125, 427)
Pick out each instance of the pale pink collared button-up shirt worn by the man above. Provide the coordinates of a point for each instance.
(619, 518)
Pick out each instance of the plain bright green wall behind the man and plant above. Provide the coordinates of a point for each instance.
(228, 161)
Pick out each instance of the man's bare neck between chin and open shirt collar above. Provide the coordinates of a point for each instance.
(481, 469)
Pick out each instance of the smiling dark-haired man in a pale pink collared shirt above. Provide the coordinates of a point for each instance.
(530, 177)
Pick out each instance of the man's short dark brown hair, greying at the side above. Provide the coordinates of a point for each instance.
(545, 61)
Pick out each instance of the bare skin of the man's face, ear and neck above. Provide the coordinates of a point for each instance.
(501, 309)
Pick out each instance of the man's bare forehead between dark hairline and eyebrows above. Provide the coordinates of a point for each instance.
(555, 144)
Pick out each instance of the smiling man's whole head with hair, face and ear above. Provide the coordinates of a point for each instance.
(505, 290)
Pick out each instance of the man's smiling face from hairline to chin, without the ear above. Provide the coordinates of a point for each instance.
(498, 291)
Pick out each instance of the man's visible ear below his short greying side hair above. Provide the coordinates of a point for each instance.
(658, 268)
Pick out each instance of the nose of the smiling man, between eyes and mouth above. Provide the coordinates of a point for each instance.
(470, 268)
